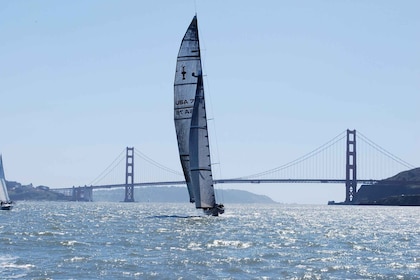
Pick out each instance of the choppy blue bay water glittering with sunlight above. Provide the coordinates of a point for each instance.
(174, 241)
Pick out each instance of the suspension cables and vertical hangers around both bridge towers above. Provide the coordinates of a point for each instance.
(327, 162)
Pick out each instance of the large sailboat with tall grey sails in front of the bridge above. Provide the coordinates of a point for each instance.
(191, 124)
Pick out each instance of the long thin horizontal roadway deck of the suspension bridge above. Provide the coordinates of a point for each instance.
(230, 181)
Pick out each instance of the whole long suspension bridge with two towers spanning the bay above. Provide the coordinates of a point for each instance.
(345, 159)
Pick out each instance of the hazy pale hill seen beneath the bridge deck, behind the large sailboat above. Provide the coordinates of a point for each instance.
(178, 195)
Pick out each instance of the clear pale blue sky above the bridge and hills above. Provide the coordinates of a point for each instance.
(81, 80)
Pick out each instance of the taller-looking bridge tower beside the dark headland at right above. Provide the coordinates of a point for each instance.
(351, 176)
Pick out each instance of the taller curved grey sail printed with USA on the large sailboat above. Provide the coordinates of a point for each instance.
(185, 86)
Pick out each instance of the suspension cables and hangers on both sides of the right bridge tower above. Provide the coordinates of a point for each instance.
(328, 162)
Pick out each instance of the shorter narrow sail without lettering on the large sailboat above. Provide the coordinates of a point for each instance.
(200, 162)
